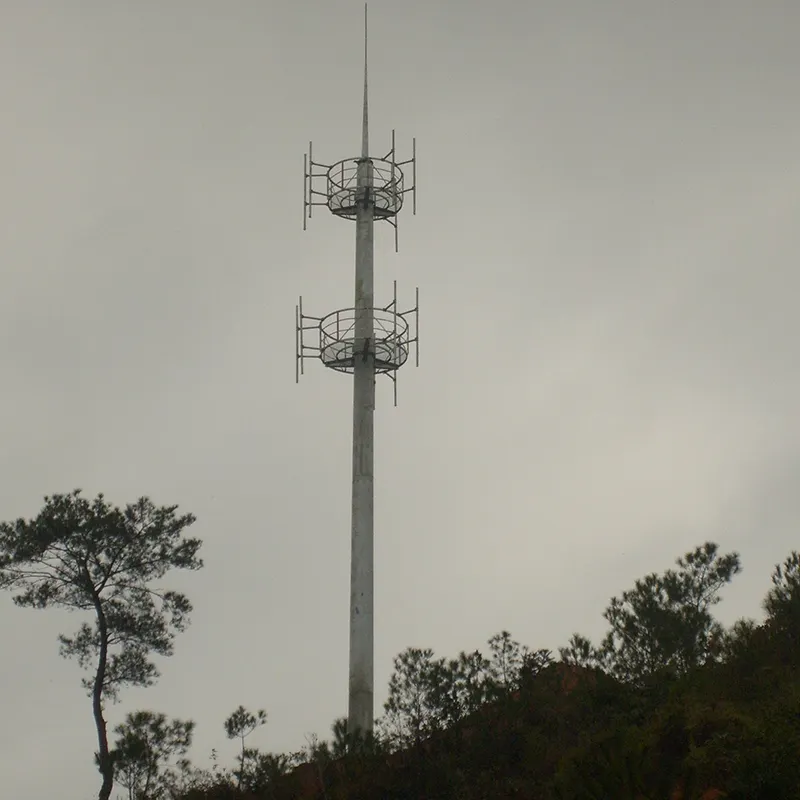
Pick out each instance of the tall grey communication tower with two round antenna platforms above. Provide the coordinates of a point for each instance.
(365, 341)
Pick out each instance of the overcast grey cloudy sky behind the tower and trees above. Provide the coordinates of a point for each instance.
(606, 247)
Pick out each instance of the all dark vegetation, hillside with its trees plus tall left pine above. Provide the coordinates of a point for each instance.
(670, 705)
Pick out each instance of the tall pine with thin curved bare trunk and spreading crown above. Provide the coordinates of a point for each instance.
(91, 557)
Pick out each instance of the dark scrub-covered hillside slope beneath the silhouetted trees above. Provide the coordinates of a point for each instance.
(729, 729)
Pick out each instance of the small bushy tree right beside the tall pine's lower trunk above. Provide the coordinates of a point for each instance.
(148, 753)
